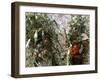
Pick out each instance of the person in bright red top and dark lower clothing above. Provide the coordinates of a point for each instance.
(76, 57)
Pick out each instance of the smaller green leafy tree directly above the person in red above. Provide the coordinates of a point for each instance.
(79, 24)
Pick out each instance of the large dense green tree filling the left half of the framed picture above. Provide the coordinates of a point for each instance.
(41, 31)
